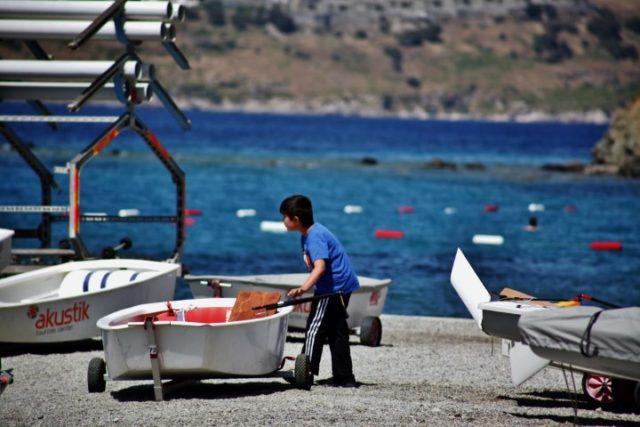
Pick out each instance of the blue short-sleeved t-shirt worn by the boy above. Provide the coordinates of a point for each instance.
(320, 243)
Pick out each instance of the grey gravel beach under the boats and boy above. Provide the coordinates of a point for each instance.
(428, 371)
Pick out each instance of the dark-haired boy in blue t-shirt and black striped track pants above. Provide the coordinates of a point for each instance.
(331, 272)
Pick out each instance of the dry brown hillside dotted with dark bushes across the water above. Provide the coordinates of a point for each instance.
(551, 61)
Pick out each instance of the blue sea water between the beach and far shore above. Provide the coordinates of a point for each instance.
(235, 161)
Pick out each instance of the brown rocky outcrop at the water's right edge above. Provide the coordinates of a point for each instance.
(618, 151)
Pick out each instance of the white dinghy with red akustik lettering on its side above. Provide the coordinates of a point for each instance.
(63, 302)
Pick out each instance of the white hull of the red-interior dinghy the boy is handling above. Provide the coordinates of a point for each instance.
(193, 350)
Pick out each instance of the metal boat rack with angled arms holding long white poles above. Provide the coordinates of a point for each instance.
(110, 23)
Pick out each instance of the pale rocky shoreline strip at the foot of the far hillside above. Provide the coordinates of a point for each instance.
(287, 107)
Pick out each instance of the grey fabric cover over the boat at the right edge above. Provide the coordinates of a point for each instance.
(611, 345)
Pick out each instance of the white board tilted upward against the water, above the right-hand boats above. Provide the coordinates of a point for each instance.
(468, 286)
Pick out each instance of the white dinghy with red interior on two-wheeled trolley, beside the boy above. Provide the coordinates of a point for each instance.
(193, 339)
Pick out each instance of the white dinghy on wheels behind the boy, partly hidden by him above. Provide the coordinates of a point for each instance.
(365, 305)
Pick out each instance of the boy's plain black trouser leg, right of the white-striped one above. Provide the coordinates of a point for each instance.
(338, 335)
